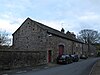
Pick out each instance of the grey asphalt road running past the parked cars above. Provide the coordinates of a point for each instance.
(77, 68)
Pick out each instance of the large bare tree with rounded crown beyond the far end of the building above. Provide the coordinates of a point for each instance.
(89, 36)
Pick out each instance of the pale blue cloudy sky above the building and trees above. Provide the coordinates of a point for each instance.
(72, 15)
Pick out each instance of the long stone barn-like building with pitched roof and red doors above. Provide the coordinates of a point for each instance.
(35, 36)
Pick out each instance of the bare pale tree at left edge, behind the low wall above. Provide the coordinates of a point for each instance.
(4, 38)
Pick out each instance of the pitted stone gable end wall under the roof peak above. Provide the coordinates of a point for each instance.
(30, 37)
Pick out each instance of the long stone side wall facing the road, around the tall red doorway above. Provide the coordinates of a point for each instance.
(70, 47)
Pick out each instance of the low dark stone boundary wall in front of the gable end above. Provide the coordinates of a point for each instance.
(17, 59)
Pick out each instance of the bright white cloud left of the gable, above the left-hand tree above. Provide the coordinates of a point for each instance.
(9, 23)
